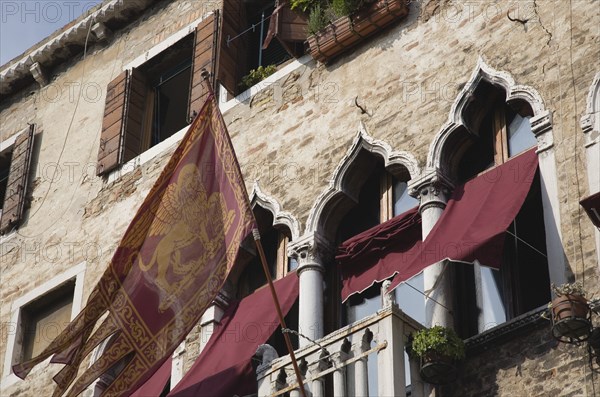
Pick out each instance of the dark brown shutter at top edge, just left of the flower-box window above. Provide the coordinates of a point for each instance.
(231, 59)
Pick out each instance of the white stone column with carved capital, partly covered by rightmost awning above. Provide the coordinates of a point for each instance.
(433, 190)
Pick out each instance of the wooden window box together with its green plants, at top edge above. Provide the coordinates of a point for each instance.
(336, 25)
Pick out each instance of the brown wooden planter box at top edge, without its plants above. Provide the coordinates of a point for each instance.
(348, 31)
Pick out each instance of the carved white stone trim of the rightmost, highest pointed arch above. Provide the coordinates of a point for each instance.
(455, 131)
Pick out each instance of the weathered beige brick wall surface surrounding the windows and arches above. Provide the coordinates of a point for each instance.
(292, 135)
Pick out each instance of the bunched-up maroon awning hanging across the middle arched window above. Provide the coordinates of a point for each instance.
(359, 256)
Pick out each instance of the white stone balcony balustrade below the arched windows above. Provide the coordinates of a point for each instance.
(339, 363)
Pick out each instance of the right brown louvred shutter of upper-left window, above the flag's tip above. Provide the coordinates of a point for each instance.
(204, 58)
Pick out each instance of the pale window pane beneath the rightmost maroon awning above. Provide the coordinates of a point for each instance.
(492, 298)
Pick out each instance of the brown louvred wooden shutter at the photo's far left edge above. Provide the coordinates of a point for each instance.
(16, 189)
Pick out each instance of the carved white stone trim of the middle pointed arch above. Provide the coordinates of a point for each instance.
(344, 186)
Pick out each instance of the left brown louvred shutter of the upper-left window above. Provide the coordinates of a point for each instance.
(112, 126)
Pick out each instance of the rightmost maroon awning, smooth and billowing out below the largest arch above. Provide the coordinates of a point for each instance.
(473, 225)
